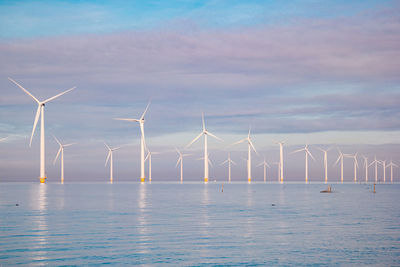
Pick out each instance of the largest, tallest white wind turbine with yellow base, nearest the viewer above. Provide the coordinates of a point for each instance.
(40, 112)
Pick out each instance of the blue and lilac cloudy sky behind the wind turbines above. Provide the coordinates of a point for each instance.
(323, 73)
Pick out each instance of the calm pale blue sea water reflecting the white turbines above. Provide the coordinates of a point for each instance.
(197, 224)
